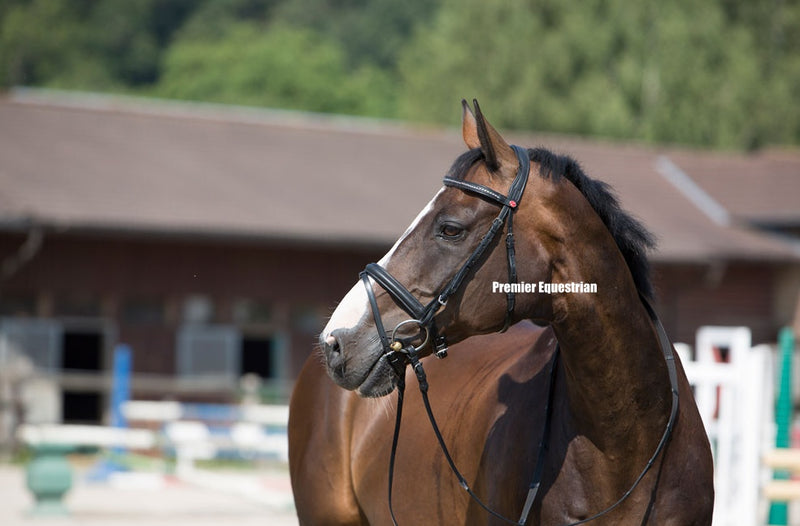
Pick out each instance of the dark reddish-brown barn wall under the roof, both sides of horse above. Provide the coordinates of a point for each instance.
(145, 291)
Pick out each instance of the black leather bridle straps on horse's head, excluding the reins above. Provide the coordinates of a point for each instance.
(424, 315)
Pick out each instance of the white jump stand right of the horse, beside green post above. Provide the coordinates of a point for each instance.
(734, 389)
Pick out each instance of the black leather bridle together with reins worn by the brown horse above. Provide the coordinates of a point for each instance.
(401, 351)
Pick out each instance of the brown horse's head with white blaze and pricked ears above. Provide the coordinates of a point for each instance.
(433, 251)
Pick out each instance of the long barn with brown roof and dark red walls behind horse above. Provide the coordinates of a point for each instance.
(215, 240)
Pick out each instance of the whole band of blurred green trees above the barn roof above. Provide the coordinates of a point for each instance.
(721, 73)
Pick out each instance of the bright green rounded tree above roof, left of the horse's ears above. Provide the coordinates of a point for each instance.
(277, 66)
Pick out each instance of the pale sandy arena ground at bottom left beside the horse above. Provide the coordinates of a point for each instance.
(204, 498)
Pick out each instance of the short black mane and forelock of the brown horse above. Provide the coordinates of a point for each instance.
(632, 238)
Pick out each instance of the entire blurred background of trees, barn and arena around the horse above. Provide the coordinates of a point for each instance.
(188, 187)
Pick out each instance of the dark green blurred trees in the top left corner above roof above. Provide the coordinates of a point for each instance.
(106, 44)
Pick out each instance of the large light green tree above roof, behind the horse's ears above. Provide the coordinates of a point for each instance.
(672, 71)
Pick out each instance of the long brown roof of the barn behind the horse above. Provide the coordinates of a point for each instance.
(105, 163)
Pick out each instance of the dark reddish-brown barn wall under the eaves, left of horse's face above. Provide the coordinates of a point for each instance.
(143, 292)
